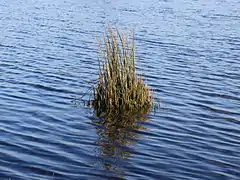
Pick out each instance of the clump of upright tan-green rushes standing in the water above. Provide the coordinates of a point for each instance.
(120, 91)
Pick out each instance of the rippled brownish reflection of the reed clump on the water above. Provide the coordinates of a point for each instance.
(117, 137)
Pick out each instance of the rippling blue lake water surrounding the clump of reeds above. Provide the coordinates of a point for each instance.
(189, 53)
